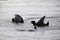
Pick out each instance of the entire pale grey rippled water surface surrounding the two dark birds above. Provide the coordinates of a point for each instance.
(29, 10)
